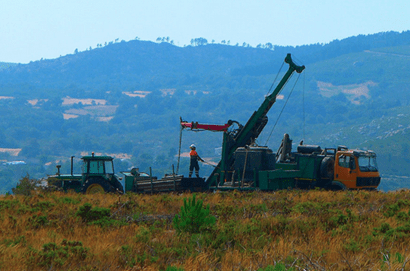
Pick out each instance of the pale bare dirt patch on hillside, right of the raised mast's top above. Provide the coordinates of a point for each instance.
(355, 93)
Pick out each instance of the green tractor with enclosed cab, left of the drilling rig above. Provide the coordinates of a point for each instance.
(97, 177)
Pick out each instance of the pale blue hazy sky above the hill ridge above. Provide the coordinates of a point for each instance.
(35, 29)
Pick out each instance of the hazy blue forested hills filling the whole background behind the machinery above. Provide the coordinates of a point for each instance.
(125, 99)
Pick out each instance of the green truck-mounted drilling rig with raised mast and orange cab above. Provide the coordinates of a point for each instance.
(246, 166)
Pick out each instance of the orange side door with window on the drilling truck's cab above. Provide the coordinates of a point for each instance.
(346, 170)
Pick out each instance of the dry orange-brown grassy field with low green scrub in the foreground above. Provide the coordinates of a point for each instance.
(285, 230)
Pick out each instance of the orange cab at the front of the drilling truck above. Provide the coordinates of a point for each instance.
(356, 169)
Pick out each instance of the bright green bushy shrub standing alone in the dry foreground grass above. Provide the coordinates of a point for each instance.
(193, 217)
